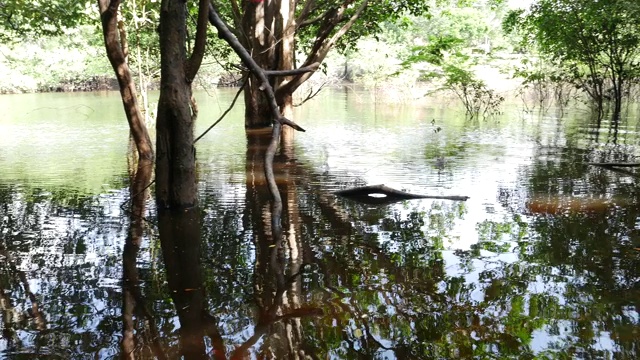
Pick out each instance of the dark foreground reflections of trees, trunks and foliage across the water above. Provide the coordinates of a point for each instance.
(343, 280)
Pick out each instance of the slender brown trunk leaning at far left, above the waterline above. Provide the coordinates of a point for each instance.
(116, 46)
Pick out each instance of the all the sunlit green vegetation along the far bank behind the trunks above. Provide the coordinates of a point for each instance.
(457, 54)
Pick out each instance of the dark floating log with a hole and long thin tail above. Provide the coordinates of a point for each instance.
(381, 194)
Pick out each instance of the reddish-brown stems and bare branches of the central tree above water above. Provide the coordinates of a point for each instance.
(268, 31)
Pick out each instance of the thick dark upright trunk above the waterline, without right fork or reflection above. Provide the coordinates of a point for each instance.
(175, 161)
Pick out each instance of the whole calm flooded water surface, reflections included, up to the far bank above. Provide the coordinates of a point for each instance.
(540, 262)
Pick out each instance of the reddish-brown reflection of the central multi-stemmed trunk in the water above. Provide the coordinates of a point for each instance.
(276, 277)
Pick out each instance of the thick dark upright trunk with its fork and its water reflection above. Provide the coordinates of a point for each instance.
(176, 187)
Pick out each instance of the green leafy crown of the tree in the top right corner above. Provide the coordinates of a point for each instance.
(596, 42)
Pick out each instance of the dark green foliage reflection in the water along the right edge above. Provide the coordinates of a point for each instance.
(585, 256)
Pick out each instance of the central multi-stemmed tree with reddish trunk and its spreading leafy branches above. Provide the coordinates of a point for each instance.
(274, 32)
